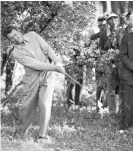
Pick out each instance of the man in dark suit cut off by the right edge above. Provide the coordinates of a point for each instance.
(126, 75)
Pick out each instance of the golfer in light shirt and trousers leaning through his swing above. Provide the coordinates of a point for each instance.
(32, 51)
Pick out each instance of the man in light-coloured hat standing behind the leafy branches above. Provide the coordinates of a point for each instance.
(113, 35)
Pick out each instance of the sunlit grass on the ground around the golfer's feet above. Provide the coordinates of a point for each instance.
(76, 129)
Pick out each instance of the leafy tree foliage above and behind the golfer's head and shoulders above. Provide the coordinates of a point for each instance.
(60, 23)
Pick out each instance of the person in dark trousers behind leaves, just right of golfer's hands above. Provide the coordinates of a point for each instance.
(76, 71)
